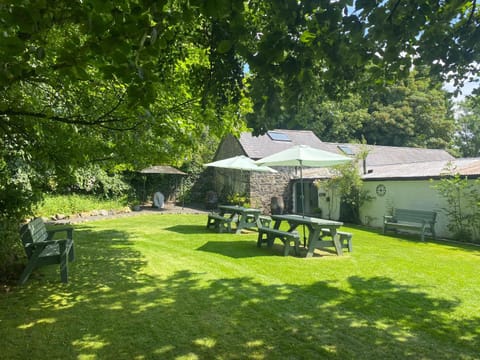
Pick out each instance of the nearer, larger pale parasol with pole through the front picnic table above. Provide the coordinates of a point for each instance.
(303, 155)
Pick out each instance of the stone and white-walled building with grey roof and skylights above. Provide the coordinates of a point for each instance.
(396, 177)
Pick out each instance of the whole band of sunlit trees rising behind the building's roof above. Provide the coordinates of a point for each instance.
(412, 112)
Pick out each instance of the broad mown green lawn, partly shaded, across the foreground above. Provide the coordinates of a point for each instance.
(163, 287)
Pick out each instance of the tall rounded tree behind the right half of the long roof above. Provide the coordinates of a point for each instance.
(413, 112)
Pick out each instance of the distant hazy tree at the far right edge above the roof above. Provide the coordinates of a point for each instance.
(467, 137)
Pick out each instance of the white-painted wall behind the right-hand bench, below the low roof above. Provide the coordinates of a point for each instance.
(405, 194)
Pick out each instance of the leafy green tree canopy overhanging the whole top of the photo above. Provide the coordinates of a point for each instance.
(139, 81)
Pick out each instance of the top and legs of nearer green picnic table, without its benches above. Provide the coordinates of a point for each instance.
(315, 226)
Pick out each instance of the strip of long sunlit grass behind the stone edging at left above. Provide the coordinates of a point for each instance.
(74, 204)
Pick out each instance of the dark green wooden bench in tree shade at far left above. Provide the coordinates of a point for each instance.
(42, 250)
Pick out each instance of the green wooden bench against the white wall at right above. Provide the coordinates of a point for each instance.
(420, 221)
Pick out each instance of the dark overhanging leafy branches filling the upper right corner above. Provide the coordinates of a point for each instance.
(334, 49)
